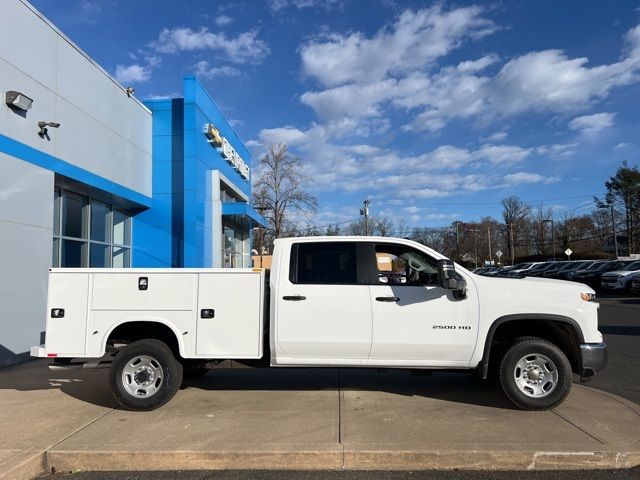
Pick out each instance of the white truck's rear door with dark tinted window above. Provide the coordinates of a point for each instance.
(323, 306)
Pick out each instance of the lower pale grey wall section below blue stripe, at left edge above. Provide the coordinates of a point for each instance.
(26, 223)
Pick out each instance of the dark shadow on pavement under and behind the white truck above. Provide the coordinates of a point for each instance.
(91, 386)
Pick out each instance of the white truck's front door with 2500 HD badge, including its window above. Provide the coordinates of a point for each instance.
(414, 319)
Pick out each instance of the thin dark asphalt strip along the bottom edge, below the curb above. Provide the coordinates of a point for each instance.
(358, 475)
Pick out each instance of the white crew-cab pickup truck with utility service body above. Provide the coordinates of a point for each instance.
(328, 302)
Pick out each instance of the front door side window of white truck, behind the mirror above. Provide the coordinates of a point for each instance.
(402, 265)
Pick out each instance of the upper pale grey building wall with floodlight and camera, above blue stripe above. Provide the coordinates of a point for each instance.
(102, 130)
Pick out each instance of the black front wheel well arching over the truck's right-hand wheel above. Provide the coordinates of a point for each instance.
(560, 333)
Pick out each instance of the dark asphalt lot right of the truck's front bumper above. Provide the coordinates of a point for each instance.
(620, 325)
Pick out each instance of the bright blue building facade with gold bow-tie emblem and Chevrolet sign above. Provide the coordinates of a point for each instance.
(201, 214)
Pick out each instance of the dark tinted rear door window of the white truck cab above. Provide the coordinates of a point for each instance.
(324, 263)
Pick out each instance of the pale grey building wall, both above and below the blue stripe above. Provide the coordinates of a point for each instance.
(102, 131)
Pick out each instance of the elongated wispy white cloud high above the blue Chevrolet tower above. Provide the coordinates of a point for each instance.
(243, 48)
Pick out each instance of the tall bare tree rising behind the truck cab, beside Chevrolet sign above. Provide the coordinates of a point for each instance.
(281, 192)
